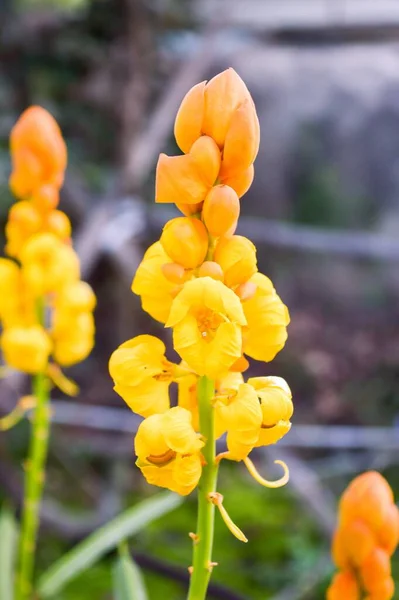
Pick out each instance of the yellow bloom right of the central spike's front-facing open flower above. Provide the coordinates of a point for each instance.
(267, 319)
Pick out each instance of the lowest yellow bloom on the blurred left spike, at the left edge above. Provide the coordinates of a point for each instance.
(26, 348)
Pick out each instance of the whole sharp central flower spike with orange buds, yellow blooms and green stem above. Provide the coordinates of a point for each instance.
(202, 281)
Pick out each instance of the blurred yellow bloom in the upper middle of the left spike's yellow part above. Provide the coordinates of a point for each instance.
(48, 264)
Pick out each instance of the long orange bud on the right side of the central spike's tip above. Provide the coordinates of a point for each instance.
(242, 140)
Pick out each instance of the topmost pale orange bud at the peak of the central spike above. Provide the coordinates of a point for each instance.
(223, 96)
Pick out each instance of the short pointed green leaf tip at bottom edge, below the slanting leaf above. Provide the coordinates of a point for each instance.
(128, 580)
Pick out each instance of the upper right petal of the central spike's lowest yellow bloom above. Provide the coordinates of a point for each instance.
(179, 433)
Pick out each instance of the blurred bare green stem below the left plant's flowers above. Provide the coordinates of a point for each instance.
(34, 483)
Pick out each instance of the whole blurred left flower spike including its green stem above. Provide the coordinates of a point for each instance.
(46, 311)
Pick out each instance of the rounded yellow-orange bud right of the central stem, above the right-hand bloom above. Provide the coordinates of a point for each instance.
(237, 257)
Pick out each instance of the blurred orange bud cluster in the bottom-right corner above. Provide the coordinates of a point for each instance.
(365, 539)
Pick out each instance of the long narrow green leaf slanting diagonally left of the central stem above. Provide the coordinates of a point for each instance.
(88, 552)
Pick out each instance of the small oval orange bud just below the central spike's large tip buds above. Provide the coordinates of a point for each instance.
(221, 210)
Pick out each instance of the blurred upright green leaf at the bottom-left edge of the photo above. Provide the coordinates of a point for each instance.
(8, 545)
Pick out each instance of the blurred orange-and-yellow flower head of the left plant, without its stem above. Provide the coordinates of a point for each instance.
(45, 310)
